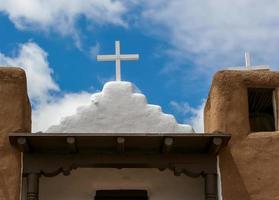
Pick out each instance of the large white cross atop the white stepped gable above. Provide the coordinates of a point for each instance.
(117, 58)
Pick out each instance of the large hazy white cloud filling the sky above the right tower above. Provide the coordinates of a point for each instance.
(216, 33)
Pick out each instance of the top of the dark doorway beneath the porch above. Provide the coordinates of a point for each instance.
(121, 195)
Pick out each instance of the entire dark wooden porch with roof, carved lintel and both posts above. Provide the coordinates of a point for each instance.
(54, 153)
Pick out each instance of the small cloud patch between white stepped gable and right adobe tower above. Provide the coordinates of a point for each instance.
(191, 115)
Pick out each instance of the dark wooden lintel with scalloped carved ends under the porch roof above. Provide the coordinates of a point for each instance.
(53, 164)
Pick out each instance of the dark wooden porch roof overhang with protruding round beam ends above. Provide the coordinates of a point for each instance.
(112, 142)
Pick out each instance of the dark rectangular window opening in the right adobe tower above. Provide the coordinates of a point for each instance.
(262, 112)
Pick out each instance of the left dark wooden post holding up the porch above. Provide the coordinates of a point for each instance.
(33, 186)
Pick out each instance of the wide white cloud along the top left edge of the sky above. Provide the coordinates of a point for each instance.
(61, 16)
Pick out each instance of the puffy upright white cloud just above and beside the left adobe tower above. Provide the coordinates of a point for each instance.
(33, 59)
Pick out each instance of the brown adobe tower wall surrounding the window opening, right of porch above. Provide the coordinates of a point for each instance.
(249, 165)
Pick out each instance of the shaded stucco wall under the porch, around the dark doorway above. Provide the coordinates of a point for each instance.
(82, 184)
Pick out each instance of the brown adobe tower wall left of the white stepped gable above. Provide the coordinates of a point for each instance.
(14, 117)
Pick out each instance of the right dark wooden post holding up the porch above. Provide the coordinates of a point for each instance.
(210, 186)
